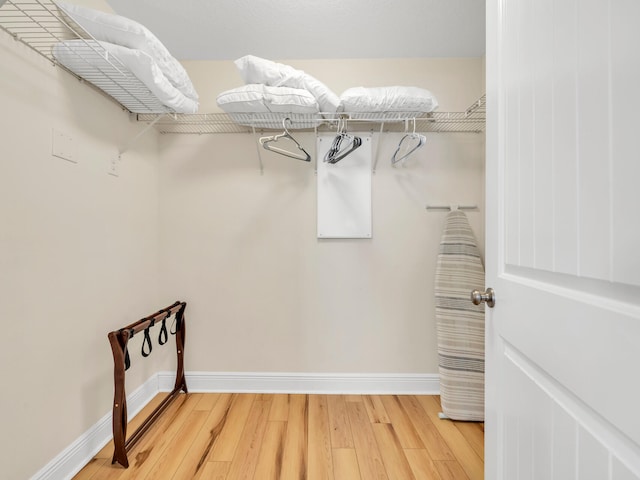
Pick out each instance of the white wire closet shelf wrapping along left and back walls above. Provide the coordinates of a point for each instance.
(41, 25)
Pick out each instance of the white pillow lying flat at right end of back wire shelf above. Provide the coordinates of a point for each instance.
(388, 99)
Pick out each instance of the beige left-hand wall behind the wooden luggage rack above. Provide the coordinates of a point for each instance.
(78, 256)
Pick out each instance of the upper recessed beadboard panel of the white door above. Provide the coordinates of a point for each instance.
(562, 131)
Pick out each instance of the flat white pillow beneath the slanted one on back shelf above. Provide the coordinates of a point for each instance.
(258, 98)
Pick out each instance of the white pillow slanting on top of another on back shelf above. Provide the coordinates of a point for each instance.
(260, 70)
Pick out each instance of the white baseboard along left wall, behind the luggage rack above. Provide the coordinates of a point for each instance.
(72, 459)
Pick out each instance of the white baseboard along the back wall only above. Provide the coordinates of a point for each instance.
(320, 383)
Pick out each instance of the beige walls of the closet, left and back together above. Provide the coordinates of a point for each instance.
(80, 250)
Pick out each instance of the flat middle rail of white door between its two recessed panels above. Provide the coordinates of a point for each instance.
(586, 343)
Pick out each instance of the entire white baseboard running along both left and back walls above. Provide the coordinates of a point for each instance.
(70, 461)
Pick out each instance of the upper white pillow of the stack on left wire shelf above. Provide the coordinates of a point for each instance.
(128, 33)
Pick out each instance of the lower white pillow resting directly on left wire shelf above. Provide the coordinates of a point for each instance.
(118, 70)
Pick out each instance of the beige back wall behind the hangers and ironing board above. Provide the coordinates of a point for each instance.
(264, 293)
